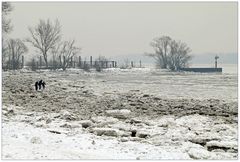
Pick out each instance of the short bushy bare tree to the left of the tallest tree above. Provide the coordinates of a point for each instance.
(16, 49)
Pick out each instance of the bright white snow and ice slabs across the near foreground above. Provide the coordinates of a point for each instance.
(170, 138)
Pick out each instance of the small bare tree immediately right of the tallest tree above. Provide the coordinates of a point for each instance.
(68, 51)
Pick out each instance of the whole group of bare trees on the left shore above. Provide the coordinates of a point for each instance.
(46, 37)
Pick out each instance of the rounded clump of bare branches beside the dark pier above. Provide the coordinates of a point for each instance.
(169, 53)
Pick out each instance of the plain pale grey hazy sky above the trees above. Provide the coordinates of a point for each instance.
(122, 28)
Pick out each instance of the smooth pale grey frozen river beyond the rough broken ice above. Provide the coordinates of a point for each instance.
(164, 84)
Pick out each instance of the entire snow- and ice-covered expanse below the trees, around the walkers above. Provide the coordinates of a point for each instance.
(138, 113)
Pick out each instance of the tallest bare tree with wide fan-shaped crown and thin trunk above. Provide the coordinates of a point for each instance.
(45, 36)
